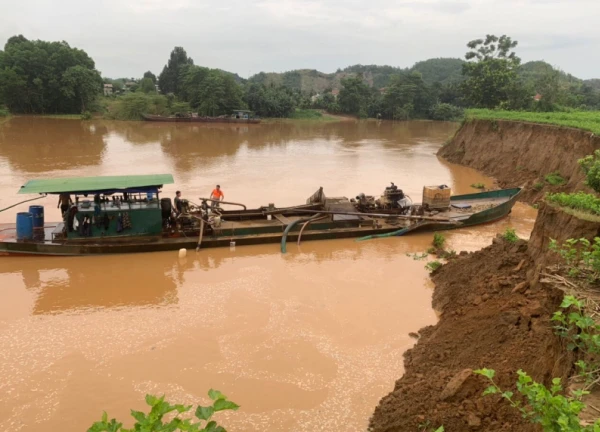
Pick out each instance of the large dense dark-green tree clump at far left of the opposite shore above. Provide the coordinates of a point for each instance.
(39, 77)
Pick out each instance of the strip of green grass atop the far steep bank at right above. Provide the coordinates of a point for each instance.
(585, 120)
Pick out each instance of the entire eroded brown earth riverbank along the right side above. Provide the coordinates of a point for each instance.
(496, 304)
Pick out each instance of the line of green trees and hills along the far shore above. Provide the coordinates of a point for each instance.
(52, 77)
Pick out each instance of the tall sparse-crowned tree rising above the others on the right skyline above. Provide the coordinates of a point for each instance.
(491, 68)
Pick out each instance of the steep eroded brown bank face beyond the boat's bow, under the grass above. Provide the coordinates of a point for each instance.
(521, 154)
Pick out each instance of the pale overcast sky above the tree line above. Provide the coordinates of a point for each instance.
(128, 37)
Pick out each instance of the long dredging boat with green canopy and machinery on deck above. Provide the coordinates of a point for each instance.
(126, 214)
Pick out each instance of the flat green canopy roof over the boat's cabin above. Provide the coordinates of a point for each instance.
(107, 184)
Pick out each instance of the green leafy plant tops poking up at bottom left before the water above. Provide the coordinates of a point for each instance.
(153, 421)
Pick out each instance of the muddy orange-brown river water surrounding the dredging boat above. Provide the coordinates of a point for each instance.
(306, 341)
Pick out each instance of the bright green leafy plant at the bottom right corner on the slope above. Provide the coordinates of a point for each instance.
(546, 407)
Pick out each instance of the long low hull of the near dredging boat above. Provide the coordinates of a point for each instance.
(262, 234)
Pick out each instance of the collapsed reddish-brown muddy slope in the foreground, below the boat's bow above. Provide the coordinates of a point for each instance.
(491, 316)
